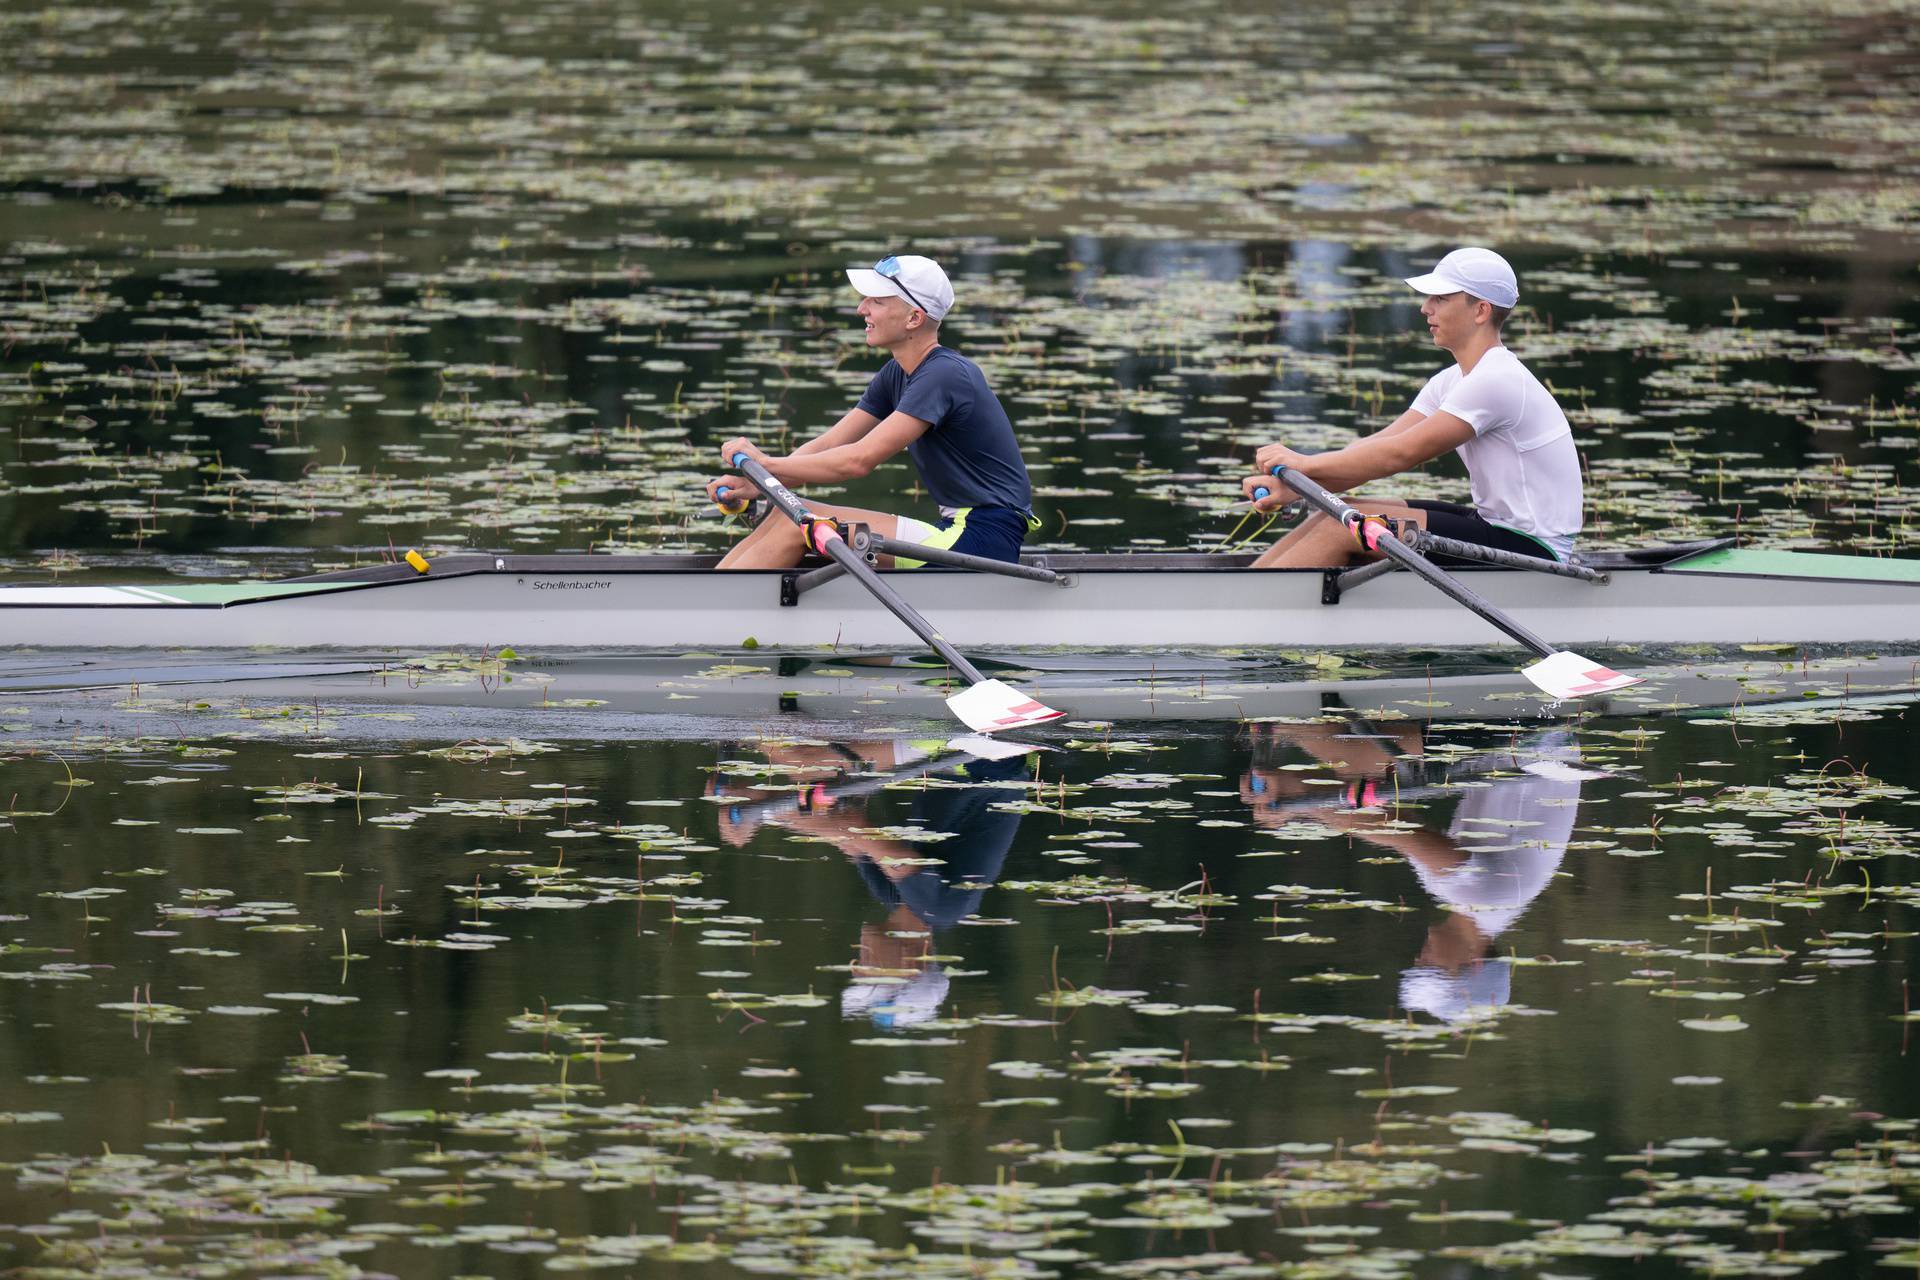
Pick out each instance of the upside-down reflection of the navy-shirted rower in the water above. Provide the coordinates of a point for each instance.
(896, 985)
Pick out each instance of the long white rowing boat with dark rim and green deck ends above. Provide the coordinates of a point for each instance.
(1683, 594)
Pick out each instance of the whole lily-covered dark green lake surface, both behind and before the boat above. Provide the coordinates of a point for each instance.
(297, 285)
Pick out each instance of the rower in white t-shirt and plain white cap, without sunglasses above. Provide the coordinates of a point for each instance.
(1520, 454)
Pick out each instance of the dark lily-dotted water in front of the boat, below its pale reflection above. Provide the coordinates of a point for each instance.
(767, 1010)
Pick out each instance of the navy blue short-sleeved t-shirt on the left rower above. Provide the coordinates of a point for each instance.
(969, 458)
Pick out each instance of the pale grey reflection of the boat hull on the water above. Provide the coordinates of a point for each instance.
(709, 696)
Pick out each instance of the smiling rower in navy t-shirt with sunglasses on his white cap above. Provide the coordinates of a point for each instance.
(928, 400)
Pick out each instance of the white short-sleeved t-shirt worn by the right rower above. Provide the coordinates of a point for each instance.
(1522, 462)
